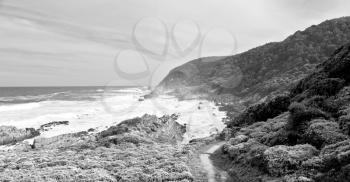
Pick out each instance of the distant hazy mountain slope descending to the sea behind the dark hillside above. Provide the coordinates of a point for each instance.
(262, 70)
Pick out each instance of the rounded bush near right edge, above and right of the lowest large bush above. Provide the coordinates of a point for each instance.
(322, 132)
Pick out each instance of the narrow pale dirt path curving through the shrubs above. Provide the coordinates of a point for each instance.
(213, 174)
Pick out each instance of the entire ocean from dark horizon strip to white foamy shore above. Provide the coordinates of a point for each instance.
(99, 108)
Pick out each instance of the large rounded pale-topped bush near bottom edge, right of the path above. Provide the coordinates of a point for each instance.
(281, 160)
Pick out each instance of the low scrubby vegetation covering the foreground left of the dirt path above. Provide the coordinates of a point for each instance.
(145, 152)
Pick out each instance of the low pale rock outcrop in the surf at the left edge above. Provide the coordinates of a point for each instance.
(11, 134)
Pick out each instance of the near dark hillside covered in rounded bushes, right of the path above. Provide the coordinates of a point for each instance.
(300, 136)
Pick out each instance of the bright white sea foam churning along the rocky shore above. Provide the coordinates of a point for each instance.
(201, 117)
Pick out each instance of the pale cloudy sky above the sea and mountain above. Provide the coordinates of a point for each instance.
(134, 42)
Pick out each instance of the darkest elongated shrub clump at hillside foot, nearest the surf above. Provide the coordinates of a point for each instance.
(262, 112)
